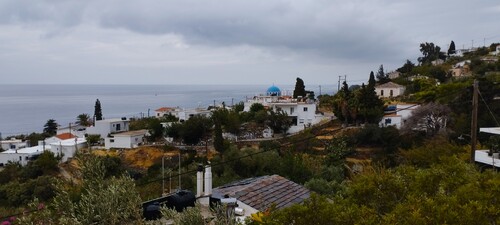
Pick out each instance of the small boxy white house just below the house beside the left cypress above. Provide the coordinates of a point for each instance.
(129, 139)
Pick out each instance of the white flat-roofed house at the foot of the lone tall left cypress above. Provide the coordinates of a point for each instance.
(109, 126)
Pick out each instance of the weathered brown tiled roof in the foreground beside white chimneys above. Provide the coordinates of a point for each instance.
(262, 192)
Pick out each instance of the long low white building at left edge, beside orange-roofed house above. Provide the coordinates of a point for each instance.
(23, 156)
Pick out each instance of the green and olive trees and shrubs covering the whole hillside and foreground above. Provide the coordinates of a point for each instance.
(407, 176)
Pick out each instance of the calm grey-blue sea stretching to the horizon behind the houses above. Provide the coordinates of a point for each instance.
(26, 108)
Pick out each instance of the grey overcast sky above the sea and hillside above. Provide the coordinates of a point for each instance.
(228, 41)
